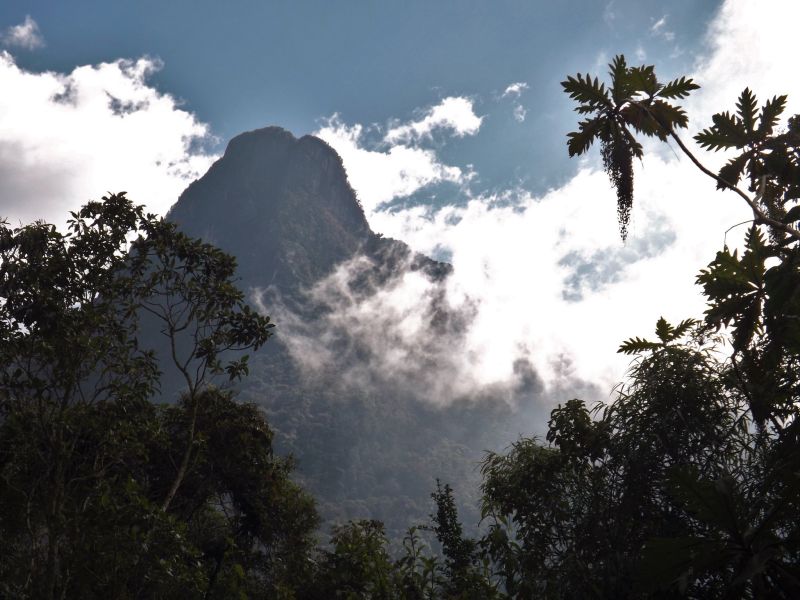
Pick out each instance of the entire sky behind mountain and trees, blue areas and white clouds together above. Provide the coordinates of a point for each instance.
(451, 124)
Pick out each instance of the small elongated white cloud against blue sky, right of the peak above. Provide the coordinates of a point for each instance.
(454, 113)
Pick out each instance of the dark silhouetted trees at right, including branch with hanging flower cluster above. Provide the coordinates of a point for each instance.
(686, 485)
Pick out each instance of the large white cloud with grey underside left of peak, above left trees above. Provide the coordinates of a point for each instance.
(69, 138)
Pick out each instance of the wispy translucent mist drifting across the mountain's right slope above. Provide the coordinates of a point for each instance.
(416, 334)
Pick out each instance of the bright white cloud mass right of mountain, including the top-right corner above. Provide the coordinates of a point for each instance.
(548, 277)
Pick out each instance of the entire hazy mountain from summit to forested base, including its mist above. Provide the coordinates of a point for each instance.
(365, 382)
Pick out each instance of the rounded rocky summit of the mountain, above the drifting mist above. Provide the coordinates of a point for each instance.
(282, 205)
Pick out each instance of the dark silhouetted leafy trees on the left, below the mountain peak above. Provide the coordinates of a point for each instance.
(102, 493)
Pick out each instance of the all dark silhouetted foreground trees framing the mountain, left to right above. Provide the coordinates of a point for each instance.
(685, 484)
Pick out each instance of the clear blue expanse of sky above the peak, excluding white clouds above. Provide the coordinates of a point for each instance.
(243, 65)
